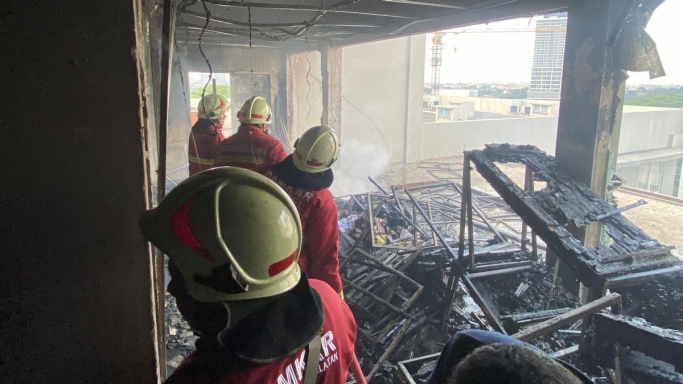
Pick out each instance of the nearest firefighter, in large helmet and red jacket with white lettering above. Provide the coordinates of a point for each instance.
(235, 238)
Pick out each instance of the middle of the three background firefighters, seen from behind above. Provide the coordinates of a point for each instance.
(252, 147)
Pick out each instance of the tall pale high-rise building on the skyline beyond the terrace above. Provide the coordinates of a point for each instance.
(546, 71)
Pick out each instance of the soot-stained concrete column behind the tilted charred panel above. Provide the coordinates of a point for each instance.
(591, 103)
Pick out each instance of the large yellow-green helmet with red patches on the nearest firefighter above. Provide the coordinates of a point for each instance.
(234, 235)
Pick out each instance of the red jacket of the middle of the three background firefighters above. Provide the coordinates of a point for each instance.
(250, 148)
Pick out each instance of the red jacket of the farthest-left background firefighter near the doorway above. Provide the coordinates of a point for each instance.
(202, 148)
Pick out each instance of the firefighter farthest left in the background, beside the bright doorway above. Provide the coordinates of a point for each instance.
(207, 133)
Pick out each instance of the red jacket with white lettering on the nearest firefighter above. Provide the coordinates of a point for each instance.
(336, 354)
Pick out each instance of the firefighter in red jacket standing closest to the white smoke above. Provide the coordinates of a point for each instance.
(306, 176)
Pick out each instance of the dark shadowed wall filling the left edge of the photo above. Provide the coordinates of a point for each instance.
(74, 271)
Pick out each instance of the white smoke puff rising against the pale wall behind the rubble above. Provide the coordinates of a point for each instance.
(357, 161)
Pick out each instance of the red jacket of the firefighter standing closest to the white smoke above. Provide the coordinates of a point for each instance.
(320, 250)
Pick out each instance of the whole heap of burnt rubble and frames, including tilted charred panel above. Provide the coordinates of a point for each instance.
(422, 261)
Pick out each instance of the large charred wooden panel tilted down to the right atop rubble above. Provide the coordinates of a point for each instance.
(565, 203)
